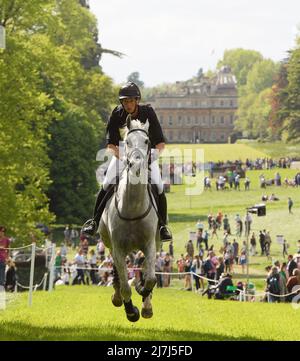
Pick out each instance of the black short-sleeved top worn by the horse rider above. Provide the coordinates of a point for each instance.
(117, 123)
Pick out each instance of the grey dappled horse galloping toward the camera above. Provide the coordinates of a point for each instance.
(129, 222)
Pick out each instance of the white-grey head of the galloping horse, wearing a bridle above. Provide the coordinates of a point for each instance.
(137, 146)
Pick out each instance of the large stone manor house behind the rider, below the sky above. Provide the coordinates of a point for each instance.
(202, 111)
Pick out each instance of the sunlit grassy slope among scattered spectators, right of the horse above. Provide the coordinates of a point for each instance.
(184, 211)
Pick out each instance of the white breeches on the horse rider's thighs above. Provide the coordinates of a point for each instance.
(116, 166)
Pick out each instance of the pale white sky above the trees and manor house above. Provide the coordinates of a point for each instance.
(170, 40)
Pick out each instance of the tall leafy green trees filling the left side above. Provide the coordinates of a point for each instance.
(50, 82)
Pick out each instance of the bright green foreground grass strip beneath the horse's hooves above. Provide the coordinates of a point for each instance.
(86, 313)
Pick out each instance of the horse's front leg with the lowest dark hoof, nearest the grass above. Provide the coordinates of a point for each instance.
(132, 312)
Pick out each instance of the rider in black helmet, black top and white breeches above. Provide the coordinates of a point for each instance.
(129, 96)
